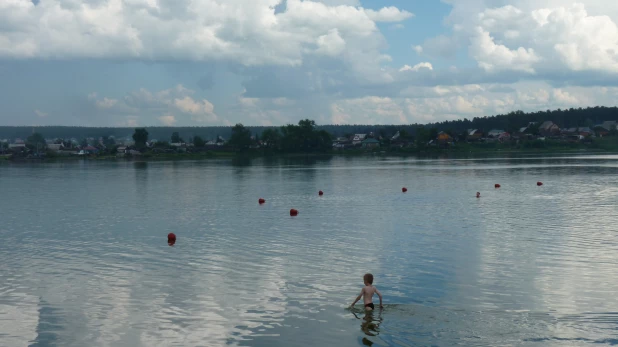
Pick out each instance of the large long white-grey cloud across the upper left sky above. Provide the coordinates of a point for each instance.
(246, 32)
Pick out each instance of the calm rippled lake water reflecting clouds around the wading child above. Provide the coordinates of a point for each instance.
(84, 259)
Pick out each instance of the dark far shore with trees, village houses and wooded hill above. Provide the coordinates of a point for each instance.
(592, 130)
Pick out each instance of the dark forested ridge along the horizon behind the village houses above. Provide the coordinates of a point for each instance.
(511, 122)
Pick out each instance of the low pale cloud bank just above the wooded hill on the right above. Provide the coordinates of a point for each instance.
(434, 104)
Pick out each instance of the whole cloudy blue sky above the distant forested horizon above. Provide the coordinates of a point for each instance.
(274, 62)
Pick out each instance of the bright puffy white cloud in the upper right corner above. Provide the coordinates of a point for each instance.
(532, 36)
